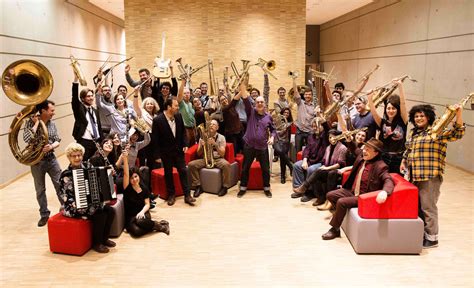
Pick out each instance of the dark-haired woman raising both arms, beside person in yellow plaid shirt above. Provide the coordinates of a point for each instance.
(392, 127)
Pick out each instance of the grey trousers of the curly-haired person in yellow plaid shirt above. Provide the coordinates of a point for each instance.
(429, 192)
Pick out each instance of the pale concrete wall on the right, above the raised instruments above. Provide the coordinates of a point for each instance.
(431, 40)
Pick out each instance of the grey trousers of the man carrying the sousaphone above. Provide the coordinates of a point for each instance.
(39, 170)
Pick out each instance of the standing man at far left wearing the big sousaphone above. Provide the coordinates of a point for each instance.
(48, 164)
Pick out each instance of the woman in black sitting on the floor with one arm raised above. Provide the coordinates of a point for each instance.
(137, 204)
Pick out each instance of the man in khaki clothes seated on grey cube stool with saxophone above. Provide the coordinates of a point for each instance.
(216, 143)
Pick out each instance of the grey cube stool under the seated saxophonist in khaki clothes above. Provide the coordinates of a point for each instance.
(211, 179)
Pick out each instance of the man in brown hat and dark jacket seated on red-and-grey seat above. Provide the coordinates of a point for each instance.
(368, 174)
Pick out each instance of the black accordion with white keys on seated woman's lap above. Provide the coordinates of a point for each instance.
(93, 186)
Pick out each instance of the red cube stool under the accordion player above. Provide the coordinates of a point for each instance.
(69, 235)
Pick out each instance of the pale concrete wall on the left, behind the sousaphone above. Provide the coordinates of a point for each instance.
(49, 31)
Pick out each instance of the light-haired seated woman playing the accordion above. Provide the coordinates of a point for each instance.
(101, 215)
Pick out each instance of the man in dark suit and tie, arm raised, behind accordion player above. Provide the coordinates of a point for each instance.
(87, 128)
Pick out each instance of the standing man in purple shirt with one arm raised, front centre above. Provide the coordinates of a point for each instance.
(259, 134)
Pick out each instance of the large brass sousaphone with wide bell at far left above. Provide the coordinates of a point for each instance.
(27, 83)
